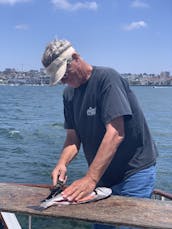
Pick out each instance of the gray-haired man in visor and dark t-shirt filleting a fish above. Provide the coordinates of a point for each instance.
(101, 113)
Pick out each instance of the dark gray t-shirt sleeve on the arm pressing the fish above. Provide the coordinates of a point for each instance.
(113, 99)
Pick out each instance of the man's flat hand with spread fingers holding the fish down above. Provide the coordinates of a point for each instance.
(79, 189)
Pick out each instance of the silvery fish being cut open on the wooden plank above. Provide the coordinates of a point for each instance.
(56, 198)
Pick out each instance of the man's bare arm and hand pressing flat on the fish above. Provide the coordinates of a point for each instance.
(112, 139)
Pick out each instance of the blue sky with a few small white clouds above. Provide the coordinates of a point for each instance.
(129, 35)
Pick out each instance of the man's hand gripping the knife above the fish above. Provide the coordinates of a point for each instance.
(59, 173)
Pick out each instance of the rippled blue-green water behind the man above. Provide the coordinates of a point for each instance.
(32, 134)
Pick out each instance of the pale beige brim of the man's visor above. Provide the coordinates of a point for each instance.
(58, 75)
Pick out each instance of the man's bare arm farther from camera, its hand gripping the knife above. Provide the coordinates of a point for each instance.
(70, 149)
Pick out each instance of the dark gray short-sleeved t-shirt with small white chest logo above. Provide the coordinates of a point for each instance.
(87, 109)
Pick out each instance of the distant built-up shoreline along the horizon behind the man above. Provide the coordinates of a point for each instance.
(35, 77)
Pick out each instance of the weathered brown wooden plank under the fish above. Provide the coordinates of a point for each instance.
(115, 210)
